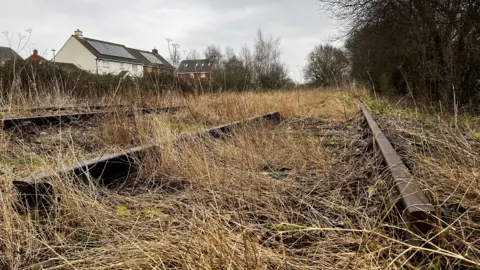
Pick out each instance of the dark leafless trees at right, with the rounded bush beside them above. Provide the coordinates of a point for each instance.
(424, 49)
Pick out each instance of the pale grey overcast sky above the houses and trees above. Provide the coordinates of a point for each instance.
(193, 24)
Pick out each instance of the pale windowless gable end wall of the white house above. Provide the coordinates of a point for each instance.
(74, 52)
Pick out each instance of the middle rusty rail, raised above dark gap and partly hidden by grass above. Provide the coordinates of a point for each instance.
(106, 169)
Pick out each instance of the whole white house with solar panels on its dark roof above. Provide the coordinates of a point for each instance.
(103, 57)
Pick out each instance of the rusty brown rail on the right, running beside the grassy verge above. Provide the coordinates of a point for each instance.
(416, 207)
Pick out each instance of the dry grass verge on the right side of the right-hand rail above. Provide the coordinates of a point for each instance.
(443, 157)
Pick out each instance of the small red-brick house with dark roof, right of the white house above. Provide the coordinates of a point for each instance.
(195, 69)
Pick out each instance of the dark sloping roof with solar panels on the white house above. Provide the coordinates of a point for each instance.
(104, 46)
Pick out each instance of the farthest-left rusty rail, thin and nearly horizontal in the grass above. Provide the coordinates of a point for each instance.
(10, 123)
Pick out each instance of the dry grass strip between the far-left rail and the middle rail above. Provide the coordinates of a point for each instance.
(30, 148)
